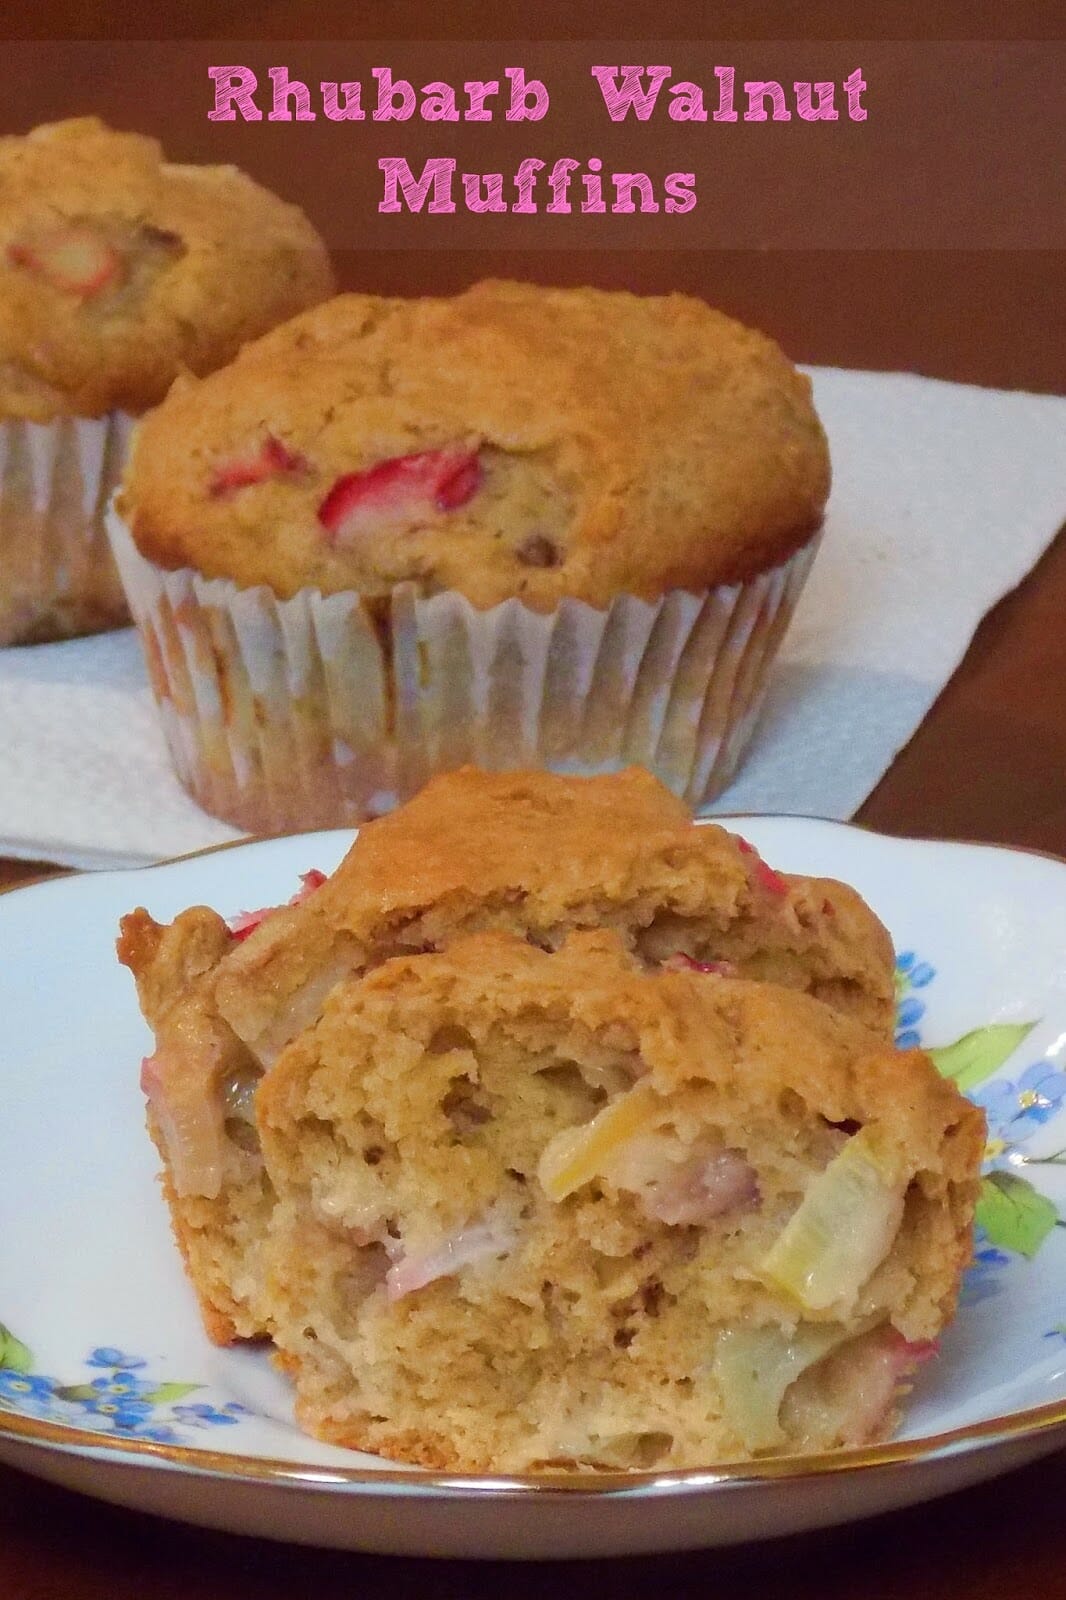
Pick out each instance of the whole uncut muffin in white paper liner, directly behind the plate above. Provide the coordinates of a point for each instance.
(521, 527)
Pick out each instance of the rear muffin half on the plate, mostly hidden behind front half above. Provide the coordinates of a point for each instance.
(526, 854)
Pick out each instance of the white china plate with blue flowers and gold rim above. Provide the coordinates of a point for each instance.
(110, 1386)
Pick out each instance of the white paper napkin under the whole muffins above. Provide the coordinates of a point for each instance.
(944, 498)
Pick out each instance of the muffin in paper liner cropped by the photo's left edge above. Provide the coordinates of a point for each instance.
(118, 271)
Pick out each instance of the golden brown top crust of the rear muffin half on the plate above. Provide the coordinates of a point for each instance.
(545, 854)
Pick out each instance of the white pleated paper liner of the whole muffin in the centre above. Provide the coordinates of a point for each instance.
(323, 711)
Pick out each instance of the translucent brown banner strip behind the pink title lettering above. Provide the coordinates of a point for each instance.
(926, 169)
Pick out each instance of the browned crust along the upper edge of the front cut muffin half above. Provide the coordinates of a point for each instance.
(788, 1038)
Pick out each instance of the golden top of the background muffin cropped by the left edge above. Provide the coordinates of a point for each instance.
(119, 271)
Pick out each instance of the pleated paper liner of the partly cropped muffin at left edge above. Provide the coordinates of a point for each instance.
(57, 572)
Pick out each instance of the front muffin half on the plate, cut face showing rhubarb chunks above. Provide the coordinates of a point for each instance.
(547, 1209)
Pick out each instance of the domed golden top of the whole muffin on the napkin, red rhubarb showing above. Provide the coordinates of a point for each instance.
(508, 442)
